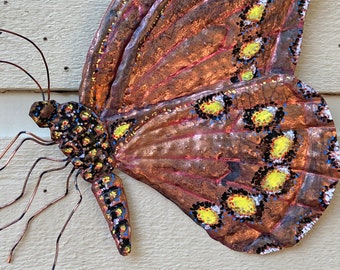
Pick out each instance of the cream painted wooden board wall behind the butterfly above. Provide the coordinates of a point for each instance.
(163, 237)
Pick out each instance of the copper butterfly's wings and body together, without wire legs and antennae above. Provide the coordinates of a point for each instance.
(198, 100)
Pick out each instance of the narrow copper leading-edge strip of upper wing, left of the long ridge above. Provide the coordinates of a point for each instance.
(120, 22)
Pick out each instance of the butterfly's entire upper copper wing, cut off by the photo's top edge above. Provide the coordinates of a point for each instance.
(146, 52)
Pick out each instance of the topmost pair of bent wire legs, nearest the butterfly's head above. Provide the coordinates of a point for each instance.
(33, 138)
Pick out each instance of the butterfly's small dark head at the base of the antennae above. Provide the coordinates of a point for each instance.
(43, 112)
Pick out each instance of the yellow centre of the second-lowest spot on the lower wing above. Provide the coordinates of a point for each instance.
(241, 204)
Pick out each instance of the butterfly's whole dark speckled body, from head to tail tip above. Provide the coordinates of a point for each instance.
(82, 137)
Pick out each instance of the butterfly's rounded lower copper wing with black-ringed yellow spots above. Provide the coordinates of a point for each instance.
(255, 167)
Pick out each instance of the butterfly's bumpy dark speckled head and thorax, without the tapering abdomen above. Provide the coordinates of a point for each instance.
(80, 135)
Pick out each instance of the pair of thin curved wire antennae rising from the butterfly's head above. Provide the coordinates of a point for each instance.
(43, 58)
